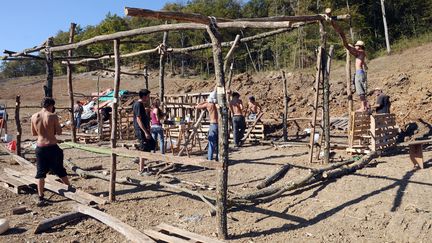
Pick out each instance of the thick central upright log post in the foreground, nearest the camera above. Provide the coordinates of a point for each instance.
(222, 184)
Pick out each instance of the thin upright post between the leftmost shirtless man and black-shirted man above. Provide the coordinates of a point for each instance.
(114, 119)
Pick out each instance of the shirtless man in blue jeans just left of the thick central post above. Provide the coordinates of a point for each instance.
(210, 105)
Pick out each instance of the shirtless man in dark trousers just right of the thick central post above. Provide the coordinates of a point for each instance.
(239, 123)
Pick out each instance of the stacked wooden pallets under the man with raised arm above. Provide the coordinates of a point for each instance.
(368, 133)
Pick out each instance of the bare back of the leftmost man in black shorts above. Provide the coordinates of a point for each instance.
(45, 125)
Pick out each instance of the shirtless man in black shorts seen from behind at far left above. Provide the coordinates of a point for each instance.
(49, 157)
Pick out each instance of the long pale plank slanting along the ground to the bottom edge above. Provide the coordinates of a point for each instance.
(128, 231)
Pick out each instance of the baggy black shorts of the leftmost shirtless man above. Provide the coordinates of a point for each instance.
(49, 158)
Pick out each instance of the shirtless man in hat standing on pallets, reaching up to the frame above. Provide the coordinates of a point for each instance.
(358, 50)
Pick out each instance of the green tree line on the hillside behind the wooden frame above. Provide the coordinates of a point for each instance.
(406, 19)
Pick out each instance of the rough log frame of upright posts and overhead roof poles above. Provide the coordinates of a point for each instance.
(212, 26)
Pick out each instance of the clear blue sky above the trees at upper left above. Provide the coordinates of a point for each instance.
(27, 23)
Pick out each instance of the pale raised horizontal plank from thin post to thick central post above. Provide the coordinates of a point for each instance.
(169, 158)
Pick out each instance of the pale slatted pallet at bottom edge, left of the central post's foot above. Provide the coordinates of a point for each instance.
(169, 233)
